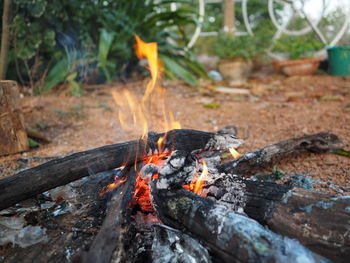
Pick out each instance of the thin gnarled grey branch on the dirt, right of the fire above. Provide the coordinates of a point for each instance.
(250, 162)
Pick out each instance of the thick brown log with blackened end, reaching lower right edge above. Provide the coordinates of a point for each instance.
(317, 220)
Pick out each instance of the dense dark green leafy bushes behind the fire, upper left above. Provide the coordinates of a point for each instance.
(53, 39)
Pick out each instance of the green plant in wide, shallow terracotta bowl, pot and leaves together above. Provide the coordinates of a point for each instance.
(299, 52)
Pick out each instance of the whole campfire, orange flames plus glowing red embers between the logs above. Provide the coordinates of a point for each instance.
(143, 113)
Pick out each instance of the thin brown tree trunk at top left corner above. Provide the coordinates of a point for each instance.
(5, 38)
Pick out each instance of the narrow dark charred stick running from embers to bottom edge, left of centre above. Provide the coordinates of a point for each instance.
(110, 235)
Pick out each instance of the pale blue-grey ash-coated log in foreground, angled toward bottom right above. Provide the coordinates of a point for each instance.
(230, 237)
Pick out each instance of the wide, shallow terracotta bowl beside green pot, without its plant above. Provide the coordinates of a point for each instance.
(299, 67)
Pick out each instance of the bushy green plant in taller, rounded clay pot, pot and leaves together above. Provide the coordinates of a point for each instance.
(236, 54)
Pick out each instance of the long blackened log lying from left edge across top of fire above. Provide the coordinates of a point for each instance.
(31, 182)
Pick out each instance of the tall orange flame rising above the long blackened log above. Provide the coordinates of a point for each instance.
(137, 114)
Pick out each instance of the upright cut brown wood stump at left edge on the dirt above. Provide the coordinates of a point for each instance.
(13, 137)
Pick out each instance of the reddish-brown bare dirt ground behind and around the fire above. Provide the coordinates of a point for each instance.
(276, 108)
